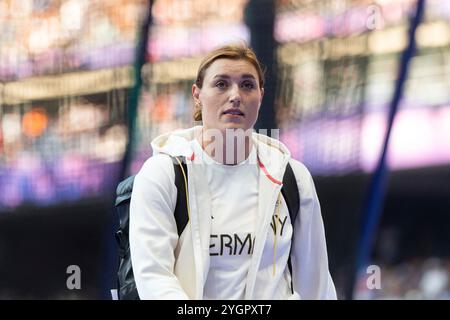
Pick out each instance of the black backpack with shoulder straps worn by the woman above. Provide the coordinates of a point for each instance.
(126, 285)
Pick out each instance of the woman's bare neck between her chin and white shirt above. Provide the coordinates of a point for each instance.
(229, 147)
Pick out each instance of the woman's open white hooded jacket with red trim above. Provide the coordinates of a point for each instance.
(166, 266)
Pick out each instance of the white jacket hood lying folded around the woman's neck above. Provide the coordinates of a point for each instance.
(273, 155)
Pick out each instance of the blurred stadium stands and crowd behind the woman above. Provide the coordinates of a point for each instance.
(66, 74)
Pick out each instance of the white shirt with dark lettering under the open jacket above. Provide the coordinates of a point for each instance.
(234, 210)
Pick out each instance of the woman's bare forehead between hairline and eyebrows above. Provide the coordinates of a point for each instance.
(232, 68)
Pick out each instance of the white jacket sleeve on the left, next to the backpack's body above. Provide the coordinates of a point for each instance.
(153, 231)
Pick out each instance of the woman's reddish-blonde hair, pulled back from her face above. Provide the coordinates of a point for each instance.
(233, 52)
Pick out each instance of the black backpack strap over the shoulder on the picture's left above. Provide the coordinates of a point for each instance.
(180, 213)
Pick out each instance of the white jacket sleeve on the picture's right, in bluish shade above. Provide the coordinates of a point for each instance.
(311, 276)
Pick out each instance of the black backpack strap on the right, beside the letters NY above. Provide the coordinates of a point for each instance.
(292, 198)
